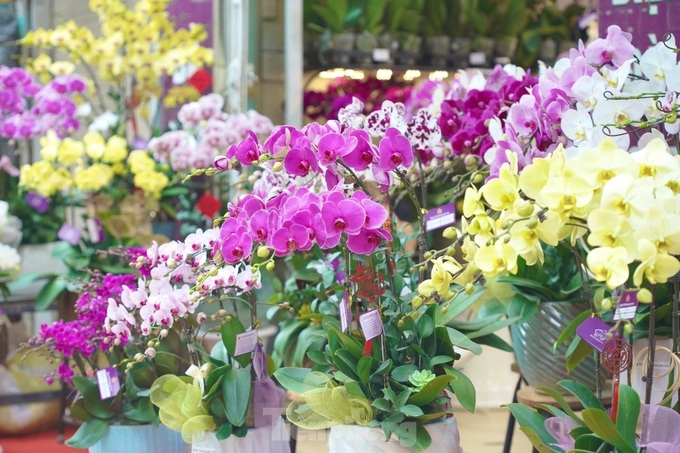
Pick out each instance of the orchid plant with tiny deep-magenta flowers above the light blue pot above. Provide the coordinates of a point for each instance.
(85, 347)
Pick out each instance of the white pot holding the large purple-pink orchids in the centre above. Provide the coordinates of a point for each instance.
(360, 439)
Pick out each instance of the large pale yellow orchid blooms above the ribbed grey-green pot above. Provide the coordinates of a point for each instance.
(626, 206)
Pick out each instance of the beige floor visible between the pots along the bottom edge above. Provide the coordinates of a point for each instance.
(481, 432)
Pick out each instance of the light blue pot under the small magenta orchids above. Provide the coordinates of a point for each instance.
(140, 439)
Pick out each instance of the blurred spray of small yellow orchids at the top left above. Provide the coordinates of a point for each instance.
(139, 42)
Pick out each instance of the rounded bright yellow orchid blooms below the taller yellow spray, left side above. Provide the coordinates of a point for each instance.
(90, 165)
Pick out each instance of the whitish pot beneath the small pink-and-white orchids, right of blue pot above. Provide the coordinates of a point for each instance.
(268, 439)
